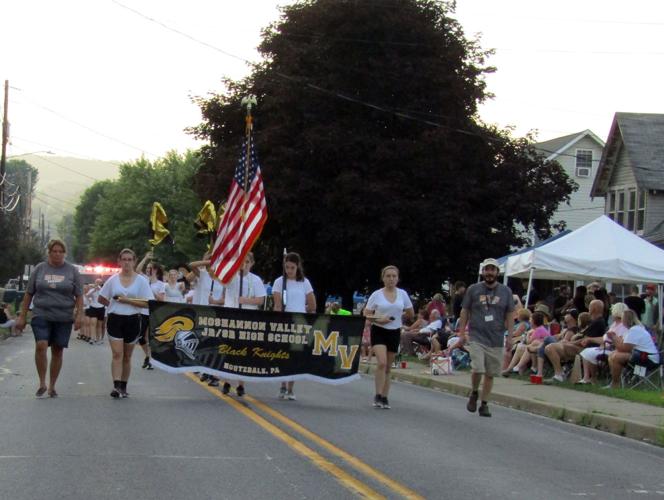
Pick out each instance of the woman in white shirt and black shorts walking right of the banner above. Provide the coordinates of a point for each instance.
(385, 308)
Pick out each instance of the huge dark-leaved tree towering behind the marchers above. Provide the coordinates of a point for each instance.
(371, 148)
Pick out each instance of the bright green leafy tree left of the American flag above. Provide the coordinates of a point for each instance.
(122, 210)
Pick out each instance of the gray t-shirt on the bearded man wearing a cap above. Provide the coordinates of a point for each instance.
(487, 308)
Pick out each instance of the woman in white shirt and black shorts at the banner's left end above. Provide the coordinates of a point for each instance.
(125, 295)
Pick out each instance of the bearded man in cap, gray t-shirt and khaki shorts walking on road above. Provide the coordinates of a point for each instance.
(487, 309)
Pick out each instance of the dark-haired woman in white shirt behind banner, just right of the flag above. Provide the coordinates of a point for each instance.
(295, 295)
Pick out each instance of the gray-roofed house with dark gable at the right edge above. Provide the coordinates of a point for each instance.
(630, 175)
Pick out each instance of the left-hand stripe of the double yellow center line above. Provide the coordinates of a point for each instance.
(339, 474)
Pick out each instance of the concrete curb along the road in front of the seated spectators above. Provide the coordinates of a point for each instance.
(623, 427)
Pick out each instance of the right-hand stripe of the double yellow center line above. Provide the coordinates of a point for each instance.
(354, 461)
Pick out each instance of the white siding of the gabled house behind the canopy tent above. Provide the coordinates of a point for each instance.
(581, 209)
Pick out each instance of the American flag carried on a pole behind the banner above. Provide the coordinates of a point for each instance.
(243, 220)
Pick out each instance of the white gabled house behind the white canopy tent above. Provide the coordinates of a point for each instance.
(579, 154)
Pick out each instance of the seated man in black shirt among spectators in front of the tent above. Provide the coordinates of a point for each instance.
(562, 352)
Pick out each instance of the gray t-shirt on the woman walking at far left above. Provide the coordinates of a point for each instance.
(54, 291)
